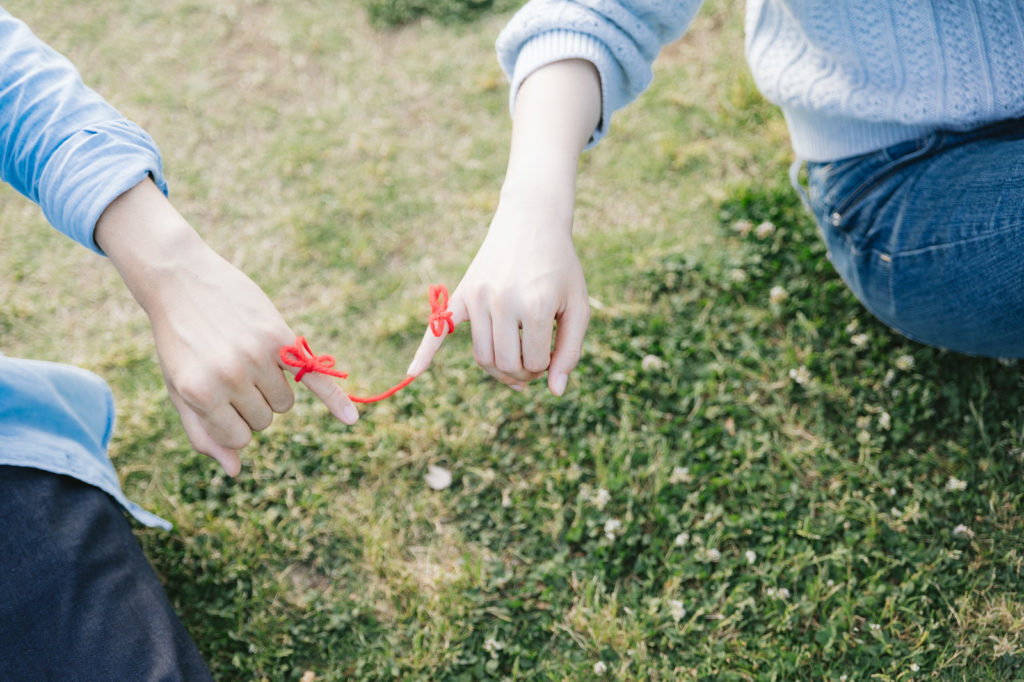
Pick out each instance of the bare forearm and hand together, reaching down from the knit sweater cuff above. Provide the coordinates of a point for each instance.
(526, 286)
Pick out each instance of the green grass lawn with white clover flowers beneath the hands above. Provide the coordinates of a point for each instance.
(347, 167)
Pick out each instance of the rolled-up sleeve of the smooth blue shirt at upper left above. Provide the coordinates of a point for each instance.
(62, 145)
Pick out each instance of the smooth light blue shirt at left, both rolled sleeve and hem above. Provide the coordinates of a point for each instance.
(66, 149)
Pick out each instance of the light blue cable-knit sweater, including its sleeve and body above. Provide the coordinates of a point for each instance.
(850, 76)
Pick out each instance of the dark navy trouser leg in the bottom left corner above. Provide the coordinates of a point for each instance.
(78, 599)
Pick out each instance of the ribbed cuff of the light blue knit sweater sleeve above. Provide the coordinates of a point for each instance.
(561, 46)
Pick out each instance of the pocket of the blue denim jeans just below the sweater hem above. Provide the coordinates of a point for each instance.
(845, 185)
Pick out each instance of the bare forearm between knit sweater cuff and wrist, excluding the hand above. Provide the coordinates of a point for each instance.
(557, 111)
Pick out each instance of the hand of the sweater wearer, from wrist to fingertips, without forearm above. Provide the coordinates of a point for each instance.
(525, 279)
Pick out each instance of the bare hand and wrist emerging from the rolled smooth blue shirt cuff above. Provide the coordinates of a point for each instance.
(218, 334)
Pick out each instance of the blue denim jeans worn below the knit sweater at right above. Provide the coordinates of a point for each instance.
(929, 235)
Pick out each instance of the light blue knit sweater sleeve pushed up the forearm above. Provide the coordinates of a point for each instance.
(620, 38)
